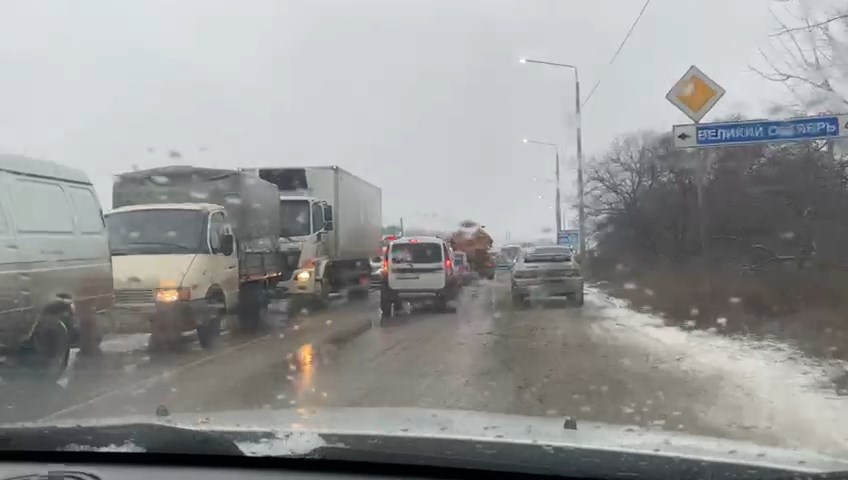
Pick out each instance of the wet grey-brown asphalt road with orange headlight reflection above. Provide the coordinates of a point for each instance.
(486, 356)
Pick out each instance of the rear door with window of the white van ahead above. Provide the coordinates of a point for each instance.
(417, 266)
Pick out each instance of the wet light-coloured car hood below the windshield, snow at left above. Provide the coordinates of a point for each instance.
(444, 437)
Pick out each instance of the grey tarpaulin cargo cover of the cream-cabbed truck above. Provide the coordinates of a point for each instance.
(251, 203)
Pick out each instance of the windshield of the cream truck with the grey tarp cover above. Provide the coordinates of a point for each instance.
(157, 232)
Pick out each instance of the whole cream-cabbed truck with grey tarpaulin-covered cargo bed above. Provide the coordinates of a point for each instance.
(191, 244)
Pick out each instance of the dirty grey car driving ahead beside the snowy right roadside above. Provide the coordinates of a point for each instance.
(544, 272)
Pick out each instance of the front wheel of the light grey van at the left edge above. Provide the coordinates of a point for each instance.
(49, 349)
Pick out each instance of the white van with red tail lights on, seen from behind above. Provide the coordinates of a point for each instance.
(418, 268)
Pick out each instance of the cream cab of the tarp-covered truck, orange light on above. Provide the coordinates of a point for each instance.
(175, 268)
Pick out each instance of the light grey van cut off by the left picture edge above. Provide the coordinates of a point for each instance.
(55, 267)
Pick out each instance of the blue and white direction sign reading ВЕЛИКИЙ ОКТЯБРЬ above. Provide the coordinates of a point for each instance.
(760, 131)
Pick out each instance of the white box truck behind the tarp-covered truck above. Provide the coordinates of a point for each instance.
(331, 223)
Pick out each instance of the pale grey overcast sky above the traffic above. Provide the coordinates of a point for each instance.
(424, 98)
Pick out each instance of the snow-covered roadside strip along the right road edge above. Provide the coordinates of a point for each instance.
(766, 386)
